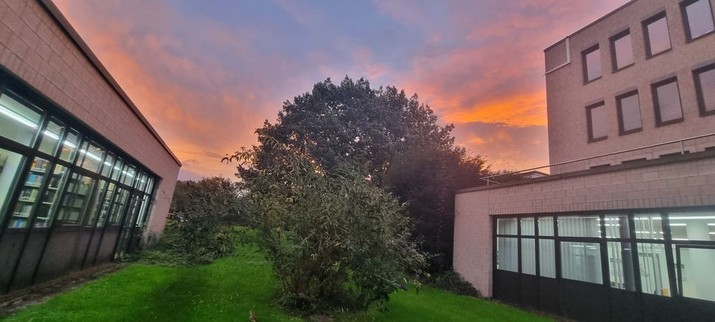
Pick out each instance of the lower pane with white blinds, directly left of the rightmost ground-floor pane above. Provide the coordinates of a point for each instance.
(653, 269)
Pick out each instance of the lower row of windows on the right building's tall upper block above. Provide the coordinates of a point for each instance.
(666, 102)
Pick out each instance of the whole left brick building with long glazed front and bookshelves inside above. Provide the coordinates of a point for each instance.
(83, 176)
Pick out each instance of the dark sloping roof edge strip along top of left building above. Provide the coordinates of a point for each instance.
(74, 36)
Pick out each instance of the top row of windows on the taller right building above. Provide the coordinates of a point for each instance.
(698, 21)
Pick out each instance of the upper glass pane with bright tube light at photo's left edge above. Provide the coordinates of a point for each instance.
(19, 123)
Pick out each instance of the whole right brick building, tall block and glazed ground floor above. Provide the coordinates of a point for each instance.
(624, 227)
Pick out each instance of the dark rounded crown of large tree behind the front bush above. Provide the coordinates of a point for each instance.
(395, 139)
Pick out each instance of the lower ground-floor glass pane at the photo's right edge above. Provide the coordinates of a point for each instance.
(696, 267)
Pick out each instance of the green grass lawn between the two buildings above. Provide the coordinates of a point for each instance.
(228, 289)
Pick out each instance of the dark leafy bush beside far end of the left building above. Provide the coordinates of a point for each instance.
(202, 210)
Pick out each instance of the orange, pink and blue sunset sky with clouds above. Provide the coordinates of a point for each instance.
(206, 74)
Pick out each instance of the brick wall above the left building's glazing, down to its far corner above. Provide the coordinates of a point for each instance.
(36, 49)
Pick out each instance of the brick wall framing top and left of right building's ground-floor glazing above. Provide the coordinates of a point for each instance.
(677, 184)
